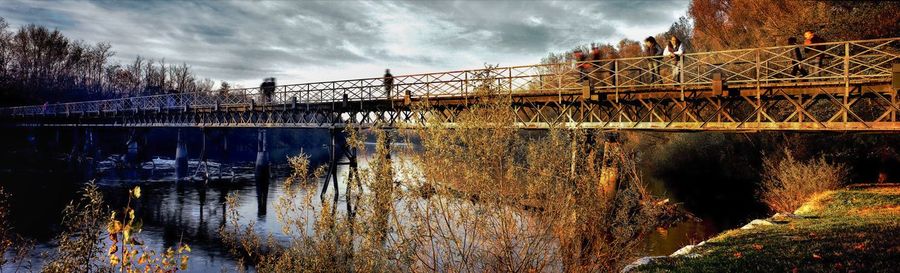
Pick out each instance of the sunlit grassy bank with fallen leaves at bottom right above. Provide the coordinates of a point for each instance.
(850, 230)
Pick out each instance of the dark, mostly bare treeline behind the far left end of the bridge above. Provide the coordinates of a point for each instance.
(39, 65)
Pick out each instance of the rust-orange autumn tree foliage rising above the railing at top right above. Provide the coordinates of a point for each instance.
(731, 24)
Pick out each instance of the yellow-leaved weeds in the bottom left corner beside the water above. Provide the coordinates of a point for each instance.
(86, 222)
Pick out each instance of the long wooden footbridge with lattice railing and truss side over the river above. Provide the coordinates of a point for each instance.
(851, 86)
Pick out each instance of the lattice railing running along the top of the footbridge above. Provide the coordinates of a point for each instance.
(835, 62)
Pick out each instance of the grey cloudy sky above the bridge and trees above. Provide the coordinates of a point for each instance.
(303, 41)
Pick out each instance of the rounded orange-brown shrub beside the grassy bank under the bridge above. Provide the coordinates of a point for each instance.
(788, 182)
